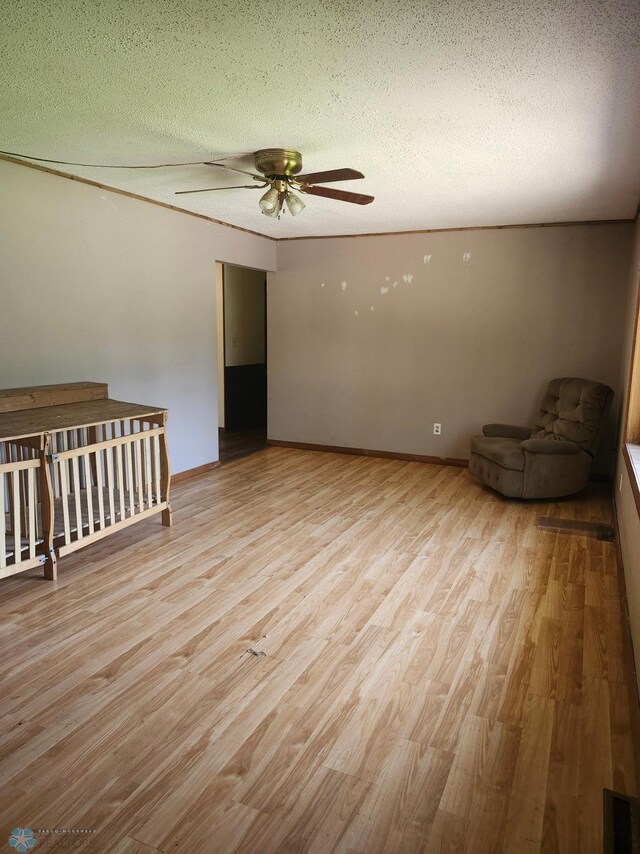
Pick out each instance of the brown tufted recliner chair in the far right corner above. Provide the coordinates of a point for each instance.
(554, 458)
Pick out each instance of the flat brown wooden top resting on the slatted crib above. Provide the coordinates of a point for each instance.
(46, 419)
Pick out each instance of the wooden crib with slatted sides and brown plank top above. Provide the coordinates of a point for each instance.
(75, 466)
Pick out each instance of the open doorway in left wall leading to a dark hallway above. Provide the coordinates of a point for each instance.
(241, 296)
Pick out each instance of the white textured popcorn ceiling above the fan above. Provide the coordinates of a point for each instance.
(458, 113)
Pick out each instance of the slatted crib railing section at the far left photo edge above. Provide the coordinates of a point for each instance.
(21, 530)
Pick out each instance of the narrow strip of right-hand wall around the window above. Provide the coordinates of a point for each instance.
(628, 518)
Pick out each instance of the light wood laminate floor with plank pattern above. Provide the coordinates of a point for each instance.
(438, 674)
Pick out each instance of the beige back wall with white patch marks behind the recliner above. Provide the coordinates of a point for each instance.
(371, 340)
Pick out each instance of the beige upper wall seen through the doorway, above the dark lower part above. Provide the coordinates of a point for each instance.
(244, 316)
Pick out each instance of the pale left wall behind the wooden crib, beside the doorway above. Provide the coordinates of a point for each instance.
(97, 286)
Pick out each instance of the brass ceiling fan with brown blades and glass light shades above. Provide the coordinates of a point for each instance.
(279, 168)
